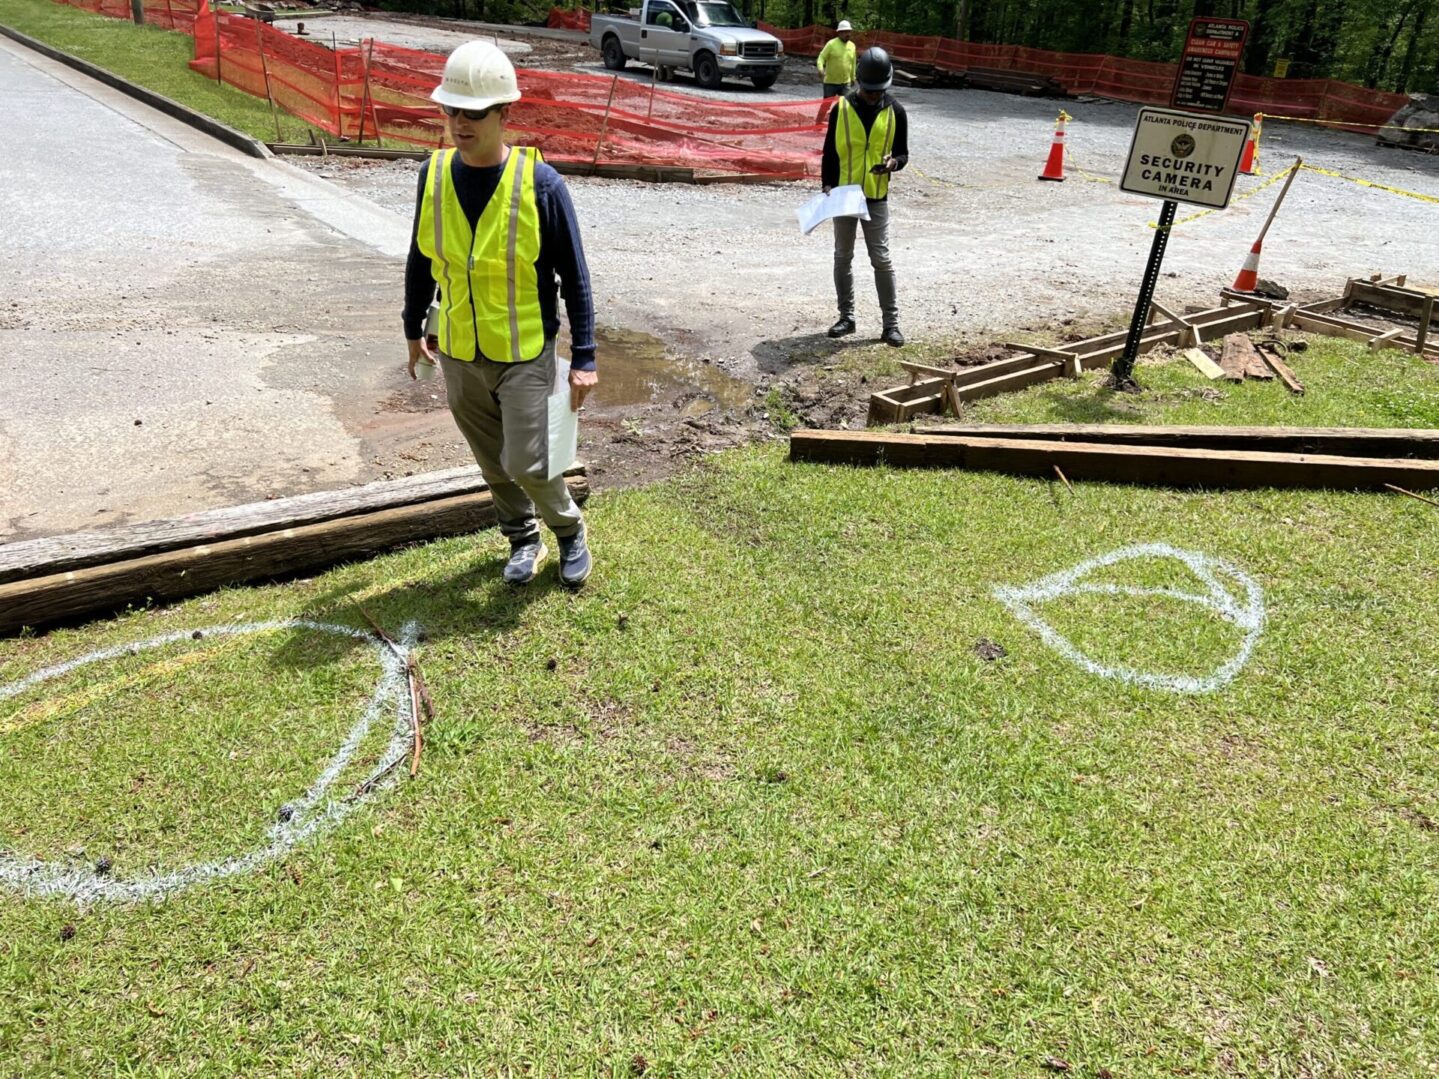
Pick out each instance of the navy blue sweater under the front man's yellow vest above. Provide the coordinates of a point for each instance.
(560, 263)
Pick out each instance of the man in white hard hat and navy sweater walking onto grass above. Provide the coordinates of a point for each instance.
(496, 232)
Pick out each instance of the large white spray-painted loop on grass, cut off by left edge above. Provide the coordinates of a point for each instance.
(310, 815)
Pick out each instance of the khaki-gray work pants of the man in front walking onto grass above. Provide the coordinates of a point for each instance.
(501, 411)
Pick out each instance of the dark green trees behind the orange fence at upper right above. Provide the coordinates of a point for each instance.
(1382, 44)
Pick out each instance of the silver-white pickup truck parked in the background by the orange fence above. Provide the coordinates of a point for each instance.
(704, 37)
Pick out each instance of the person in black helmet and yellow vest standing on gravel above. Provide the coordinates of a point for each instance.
(867, 143)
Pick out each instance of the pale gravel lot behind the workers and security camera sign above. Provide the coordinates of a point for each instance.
(982, 248)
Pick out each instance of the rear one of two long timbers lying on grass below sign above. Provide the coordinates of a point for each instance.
(1356, 442)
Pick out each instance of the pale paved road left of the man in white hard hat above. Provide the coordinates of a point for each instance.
(185, 327)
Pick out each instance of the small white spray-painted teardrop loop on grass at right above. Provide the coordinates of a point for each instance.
(1247, 614)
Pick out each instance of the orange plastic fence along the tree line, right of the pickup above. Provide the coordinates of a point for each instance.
(1352, 107)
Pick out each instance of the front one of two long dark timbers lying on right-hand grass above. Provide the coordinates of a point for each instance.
(1171, 467)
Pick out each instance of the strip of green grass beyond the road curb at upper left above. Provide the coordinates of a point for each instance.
(150, 58)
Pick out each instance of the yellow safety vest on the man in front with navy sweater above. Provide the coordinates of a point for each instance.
(490, 293)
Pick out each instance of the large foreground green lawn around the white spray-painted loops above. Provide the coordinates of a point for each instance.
(752, 805)
